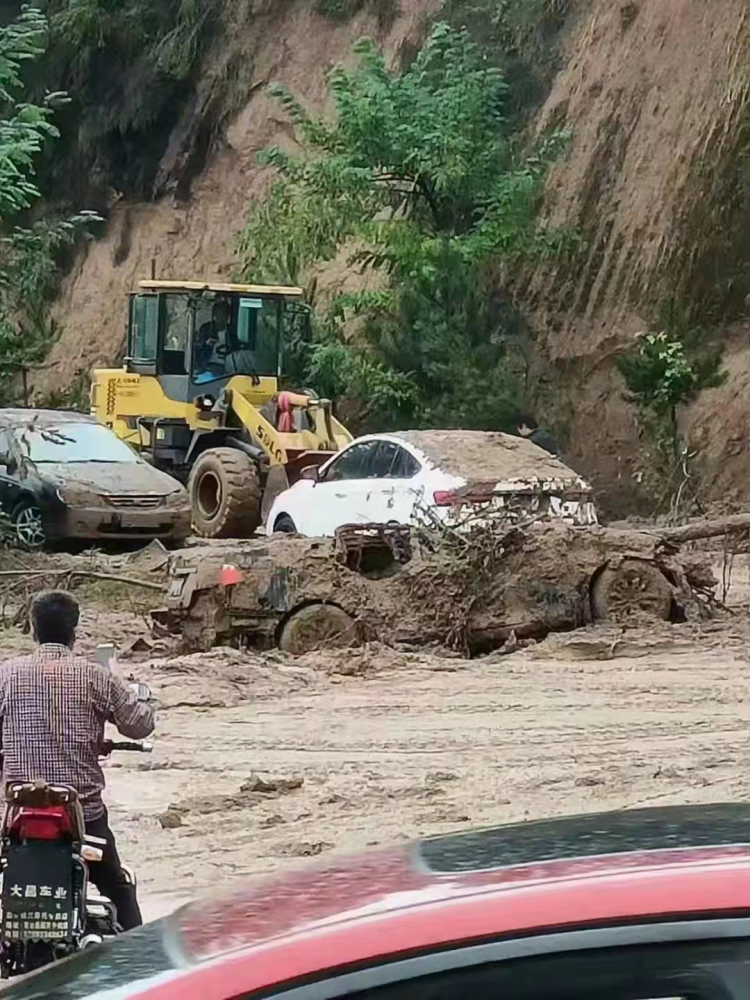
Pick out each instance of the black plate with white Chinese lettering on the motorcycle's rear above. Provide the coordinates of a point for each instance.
(37, 895)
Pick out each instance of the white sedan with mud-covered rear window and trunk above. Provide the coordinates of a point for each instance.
(404, 477)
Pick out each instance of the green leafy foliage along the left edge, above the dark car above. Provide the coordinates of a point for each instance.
(29, 255)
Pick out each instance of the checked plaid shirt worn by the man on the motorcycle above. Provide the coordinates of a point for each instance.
(53, 707)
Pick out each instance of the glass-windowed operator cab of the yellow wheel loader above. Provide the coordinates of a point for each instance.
(194, 338)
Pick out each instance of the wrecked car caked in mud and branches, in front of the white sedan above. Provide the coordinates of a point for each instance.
(378, 582)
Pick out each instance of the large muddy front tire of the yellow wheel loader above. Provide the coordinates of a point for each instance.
(225, 494)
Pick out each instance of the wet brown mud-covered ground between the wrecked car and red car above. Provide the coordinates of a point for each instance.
(368, 747)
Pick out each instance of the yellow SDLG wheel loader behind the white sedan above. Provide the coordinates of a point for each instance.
(198, 396)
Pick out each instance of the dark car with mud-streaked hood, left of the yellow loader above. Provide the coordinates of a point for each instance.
(64, 476)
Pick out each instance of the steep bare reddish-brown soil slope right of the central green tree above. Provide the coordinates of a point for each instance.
(655, 93)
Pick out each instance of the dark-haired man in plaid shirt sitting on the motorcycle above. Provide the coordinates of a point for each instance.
(53, 707)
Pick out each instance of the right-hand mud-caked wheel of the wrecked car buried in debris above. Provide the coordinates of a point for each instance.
(632, 588)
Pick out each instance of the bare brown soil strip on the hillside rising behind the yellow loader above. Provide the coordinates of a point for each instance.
(282, 42)
